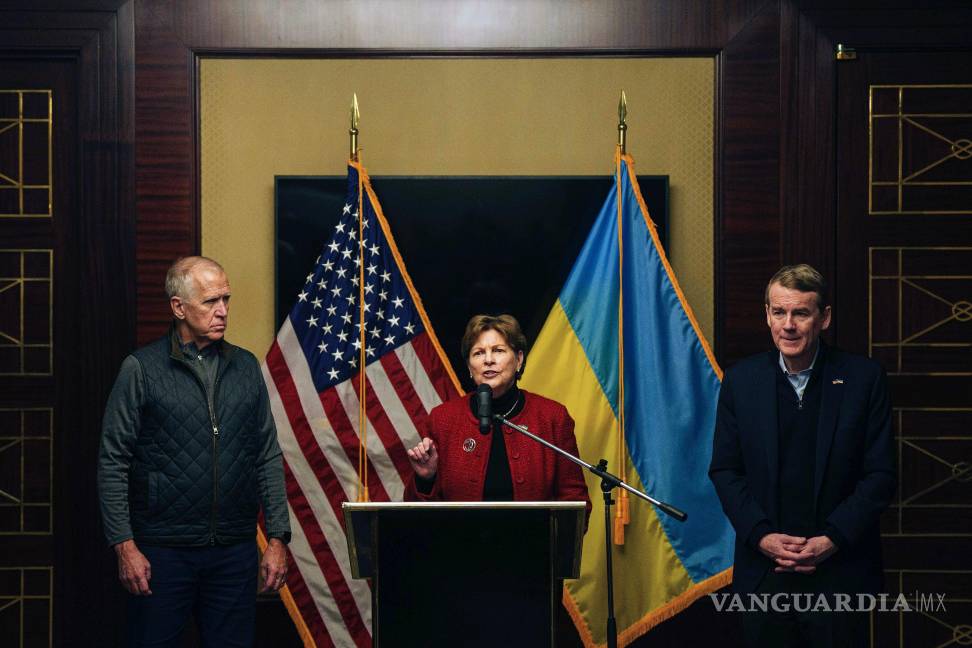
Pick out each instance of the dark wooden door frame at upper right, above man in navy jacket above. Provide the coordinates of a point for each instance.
(808, 207)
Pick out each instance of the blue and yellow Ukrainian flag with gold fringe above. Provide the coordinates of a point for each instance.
(654, 427)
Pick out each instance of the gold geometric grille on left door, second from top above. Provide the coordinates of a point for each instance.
(26, 312)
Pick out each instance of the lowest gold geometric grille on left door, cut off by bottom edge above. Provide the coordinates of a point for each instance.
(26, 609)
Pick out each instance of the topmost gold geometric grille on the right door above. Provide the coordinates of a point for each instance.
(920, 149)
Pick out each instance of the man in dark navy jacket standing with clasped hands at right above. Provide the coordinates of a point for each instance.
(803, 462)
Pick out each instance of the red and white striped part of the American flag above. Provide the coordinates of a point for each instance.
(318, 434)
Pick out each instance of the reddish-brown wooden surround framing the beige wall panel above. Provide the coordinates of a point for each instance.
(742, 36)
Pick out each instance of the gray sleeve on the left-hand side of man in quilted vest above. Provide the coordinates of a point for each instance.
(119, 429)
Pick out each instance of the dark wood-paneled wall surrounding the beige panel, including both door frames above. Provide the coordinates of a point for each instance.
(139, 186)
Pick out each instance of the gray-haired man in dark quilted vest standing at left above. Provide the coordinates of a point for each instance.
(189, 456)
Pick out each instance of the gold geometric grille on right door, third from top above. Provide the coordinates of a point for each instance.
(934, 497)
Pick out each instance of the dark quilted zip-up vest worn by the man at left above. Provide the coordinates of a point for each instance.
(193, 478)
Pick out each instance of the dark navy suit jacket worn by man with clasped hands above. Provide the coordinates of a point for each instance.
(854, 479)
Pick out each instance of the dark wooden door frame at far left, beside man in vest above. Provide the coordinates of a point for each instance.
(94, 294)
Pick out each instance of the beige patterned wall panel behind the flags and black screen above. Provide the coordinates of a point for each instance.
(261, 118)
